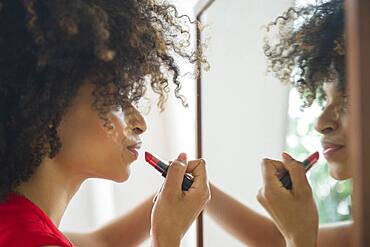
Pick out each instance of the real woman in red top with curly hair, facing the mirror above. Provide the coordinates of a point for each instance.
(71, 73)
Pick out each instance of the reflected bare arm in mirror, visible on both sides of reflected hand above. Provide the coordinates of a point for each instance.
(254, 229)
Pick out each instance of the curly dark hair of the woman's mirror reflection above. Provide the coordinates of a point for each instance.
(305, 48)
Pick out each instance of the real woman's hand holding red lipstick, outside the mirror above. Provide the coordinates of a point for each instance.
(175, 210)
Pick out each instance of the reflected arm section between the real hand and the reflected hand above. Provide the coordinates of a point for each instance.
(243, 223)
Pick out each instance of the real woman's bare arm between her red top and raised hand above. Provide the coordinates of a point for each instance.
(128, 230)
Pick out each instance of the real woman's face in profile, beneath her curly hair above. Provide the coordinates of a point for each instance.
(89, 149)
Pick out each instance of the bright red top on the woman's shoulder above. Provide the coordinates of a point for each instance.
(24, 224)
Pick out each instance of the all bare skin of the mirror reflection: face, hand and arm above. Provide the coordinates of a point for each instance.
(290, 225)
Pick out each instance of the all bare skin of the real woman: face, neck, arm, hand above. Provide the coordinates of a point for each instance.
(89, 151)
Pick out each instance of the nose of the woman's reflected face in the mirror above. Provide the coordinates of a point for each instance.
(327, 122)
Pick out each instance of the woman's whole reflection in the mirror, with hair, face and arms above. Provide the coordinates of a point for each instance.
(310, 55)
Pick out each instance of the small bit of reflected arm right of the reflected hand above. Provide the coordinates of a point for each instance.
(337, 234)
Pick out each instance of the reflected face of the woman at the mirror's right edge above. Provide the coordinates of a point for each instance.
(333, 125)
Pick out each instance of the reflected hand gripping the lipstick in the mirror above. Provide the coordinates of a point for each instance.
(293, 211)
